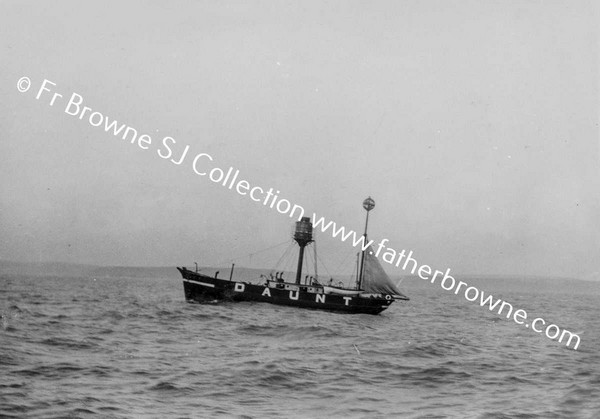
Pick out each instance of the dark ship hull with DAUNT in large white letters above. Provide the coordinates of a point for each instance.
(202, 288)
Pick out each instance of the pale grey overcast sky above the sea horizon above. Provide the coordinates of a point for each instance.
(472, 124)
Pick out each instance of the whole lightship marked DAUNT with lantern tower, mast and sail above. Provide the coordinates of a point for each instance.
(373, 291)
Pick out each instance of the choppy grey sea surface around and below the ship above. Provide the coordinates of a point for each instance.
(127, 347)
